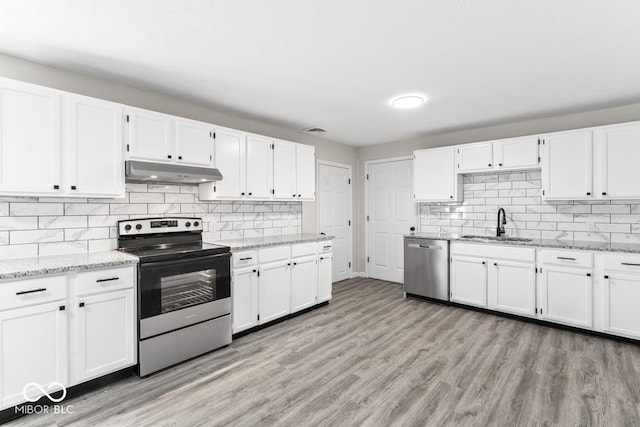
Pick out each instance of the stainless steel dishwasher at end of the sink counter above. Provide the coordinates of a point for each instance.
(426, 268)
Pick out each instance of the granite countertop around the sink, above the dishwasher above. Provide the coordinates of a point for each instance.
(541, 243)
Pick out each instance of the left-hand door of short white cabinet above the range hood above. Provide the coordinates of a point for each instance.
(149, 135)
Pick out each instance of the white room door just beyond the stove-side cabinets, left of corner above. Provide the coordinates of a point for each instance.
(334, 215)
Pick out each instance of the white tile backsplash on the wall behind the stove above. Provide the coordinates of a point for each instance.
(31, 226)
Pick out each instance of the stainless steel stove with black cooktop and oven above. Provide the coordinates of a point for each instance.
(184, 290)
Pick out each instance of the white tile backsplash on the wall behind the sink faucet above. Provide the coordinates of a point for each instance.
(519, 193)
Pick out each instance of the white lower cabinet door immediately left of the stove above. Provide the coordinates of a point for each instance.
(105, 339)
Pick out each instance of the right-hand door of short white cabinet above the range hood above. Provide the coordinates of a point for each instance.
(194, 143)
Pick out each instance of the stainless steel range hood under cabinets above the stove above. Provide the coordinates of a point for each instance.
(164, 173)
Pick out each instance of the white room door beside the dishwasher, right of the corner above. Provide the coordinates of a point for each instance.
(391, 212)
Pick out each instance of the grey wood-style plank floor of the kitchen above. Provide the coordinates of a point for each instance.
(373, 358)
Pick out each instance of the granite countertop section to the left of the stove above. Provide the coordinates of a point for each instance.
(37, 266)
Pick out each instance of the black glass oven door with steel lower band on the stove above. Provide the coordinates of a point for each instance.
(174, 294)
